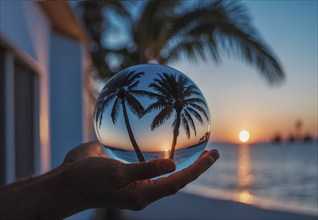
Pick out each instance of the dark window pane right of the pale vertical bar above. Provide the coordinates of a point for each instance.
(24, 118)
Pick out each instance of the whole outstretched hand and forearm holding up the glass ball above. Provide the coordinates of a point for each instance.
(88, 178)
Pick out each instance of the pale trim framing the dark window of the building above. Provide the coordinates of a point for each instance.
(41, 148)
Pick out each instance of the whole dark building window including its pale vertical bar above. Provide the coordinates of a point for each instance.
(19, 118)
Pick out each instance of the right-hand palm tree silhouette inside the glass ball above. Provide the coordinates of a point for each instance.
(176, 96)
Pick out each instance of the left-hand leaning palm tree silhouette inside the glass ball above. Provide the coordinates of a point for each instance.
(121, 92)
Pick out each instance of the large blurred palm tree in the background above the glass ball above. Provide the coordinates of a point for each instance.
(165, 31)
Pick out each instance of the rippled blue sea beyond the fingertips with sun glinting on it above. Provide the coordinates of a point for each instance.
(273, 176)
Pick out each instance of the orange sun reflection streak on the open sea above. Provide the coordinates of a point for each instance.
(245, 177)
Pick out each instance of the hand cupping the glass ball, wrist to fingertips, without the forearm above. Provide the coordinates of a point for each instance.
(100, 181)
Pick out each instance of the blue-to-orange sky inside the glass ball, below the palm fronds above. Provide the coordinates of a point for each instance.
(159, 139)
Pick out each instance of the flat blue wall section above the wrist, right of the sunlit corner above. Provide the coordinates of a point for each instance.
(66, 101)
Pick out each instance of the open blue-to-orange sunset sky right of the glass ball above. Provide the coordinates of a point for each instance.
(239, 97)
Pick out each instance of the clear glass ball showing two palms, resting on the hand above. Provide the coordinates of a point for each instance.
(151, 111)
